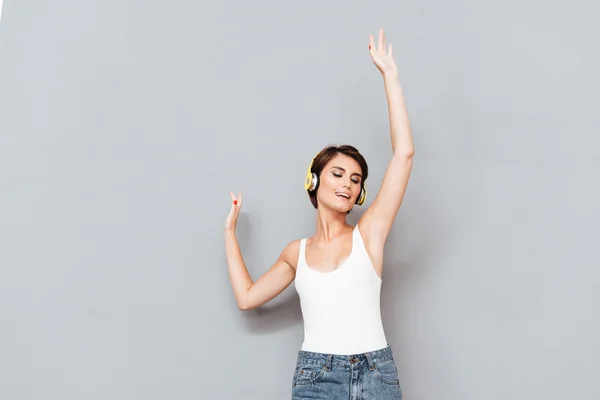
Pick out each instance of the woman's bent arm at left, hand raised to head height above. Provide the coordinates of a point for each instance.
(249, 294)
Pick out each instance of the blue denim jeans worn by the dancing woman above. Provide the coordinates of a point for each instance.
(365, 376)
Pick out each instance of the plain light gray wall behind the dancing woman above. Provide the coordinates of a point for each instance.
(125, 124)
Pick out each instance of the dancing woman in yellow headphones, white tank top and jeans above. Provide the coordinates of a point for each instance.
(345, 354)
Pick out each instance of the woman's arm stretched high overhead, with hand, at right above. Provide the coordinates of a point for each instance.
(377, 221)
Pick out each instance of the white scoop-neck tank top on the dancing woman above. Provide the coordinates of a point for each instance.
(341, 308)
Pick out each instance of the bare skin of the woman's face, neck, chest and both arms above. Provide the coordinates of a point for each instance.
(331, 243)
